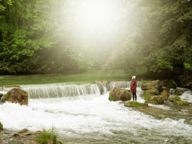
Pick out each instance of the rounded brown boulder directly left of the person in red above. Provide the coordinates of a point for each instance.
(118, 94)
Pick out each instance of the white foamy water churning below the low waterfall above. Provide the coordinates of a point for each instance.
(87, 114)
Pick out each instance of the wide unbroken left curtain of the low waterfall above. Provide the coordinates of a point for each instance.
(60, 90)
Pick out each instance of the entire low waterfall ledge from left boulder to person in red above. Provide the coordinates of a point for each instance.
(64, 90)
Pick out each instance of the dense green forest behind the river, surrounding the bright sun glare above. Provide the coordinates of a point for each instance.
(38, 36)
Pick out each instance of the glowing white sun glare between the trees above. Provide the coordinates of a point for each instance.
(98, 28)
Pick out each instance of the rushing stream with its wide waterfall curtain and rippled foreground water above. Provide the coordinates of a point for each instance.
(81, 115)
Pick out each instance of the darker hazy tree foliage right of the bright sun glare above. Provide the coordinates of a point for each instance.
(164, 41)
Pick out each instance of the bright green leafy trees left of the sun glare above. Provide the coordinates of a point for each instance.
(27, 32)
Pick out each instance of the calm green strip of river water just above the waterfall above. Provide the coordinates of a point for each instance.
(61, 78)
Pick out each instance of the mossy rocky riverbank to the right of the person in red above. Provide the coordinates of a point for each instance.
(162, 99)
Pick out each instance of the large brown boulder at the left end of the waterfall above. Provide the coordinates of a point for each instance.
(16, 95)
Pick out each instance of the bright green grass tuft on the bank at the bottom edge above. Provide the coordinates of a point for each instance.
(46, 137)
